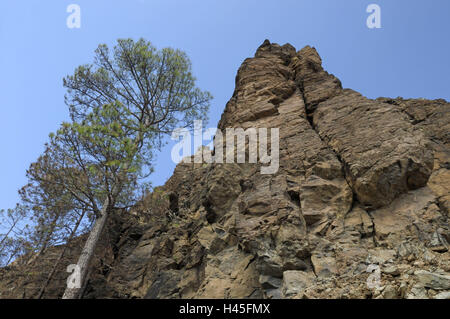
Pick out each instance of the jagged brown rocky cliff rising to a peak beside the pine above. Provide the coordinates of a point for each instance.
(361, 184)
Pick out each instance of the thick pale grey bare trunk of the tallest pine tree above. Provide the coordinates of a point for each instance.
(88, 251)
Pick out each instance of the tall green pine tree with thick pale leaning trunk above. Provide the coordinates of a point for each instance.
(121, 106)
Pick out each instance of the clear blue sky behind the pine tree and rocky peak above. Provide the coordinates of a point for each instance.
(409, 56)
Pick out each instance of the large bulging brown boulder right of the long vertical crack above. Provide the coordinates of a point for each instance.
(384, 155)
